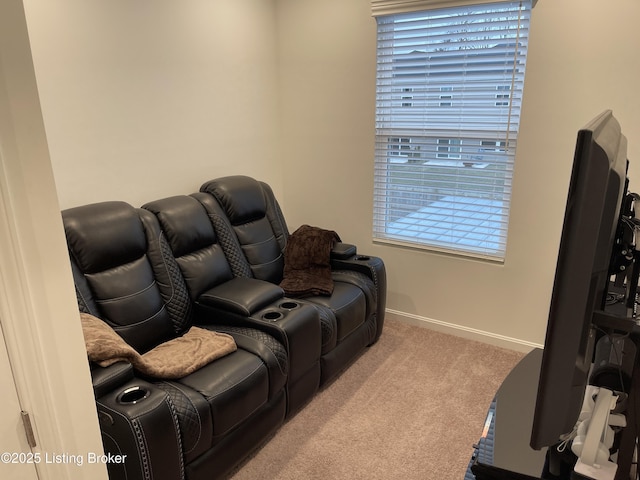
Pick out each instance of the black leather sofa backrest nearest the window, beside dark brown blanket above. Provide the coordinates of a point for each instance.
(251, 212)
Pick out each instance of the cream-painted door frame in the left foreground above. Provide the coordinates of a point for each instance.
(38, 310)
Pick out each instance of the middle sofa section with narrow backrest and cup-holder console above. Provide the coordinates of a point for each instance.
(239, 302)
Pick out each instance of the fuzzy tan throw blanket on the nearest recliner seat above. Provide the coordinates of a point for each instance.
(173, 359)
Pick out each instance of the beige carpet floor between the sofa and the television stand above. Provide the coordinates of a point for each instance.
(410, 408)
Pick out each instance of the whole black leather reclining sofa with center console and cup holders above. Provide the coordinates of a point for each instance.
(212, 259)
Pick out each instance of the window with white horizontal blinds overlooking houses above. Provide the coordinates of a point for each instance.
(449, 91)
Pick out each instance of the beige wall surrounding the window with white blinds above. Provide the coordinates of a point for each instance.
(582, 59)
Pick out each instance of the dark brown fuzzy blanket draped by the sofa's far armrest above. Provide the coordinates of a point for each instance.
(307, 267)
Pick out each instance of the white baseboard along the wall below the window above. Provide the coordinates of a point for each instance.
(464, 332)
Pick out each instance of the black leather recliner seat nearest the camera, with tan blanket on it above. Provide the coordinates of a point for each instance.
(202, 424)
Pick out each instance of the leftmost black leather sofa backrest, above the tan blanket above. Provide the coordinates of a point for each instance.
(123, 273)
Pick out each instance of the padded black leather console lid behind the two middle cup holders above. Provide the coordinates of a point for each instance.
(241, 296)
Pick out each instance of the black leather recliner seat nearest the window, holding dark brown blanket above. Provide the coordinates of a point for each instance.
(246, 213)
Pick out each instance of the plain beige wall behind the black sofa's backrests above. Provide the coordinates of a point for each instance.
(151, 98)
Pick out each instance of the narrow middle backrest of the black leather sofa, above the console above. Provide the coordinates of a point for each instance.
(193, 242)
